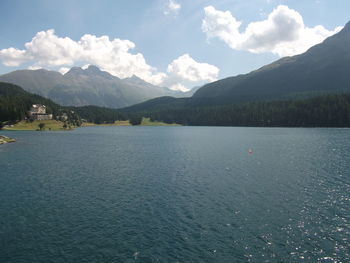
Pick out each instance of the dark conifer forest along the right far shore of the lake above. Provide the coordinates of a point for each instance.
(324, 111)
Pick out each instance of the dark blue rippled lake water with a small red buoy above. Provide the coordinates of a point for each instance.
(176, 194)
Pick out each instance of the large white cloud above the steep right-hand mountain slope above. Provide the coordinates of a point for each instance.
(283, 32)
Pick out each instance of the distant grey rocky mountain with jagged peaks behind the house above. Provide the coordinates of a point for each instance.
(91, 86)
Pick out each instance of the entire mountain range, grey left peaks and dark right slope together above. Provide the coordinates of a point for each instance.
(323, 69)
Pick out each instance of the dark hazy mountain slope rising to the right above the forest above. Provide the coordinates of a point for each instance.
(323, 69)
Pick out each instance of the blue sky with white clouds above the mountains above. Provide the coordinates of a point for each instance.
(175, 43)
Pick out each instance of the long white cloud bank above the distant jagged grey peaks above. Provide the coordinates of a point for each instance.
(47, 50)
